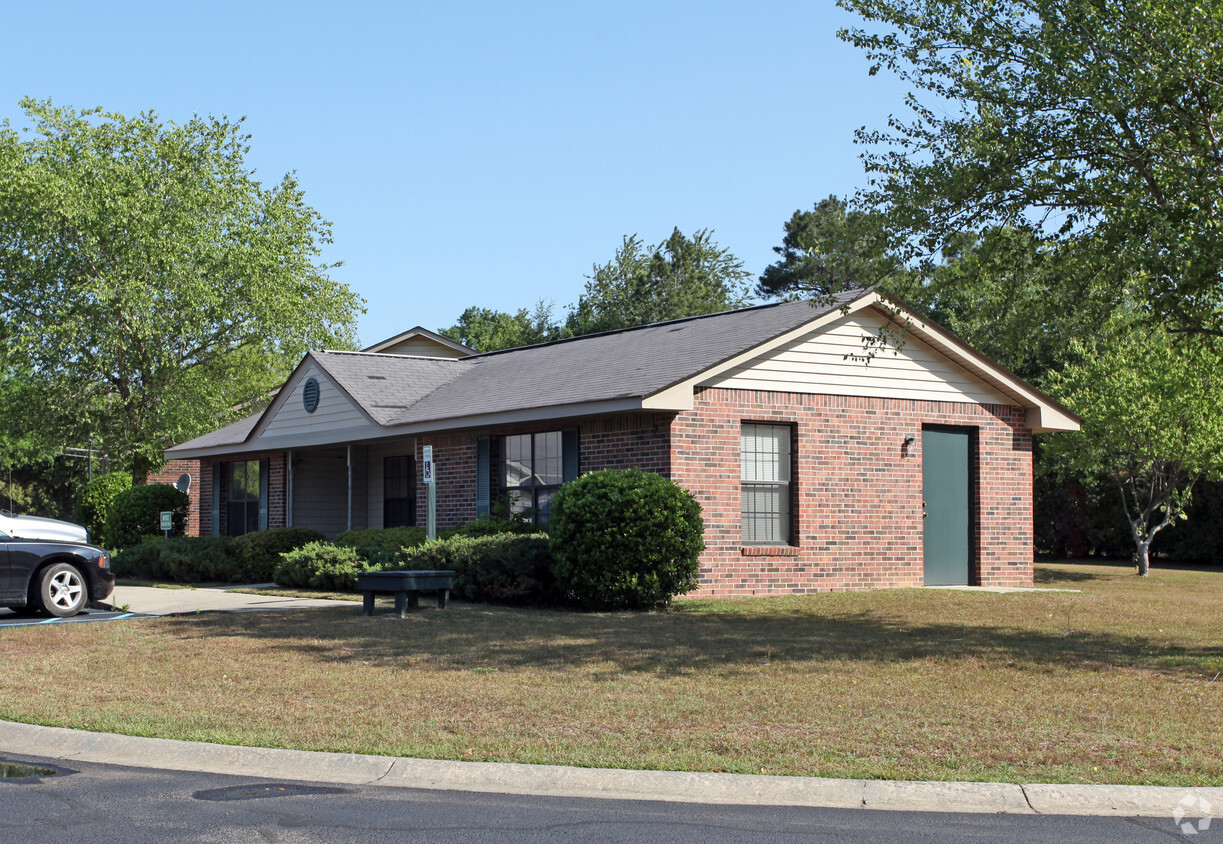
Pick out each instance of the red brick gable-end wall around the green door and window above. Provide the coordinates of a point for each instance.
(857, 491)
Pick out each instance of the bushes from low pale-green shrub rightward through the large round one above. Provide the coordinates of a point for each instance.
(619, 540)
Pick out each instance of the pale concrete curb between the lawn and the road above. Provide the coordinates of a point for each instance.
(56, 743)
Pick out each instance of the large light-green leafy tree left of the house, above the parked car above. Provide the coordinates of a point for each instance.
(150, 281)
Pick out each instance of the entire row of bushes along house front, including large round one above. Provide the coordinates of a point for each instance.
(618, 540)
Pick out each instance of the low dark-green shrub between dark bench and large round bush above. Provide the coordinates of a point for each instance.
(503, 568)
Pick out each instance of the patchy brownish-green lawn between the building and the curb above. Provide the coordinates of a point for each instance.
(1117, 684)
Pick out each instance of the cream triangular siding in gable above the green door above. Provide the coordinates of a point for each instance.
(821, 365)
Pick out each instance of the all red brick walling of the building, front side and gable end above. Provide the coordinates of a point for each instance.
(857, 489)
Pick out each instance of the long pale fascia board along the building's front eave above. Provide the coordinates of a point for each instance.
(345, 436)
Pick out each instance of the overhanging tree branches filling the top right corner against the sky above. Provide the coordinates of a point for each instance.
(1093, 125)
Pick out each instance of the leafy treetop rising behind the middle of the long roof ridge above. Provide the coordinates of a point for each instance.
(682, 277)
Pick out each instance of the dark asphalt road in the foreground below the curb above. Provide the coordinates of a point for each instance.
(105, 803)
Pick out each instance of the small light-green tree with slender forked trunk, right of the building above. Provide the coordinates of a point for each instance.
(1153, 425)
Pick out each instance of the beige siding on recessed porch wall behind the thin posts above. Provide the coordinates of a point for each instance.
(321, 490)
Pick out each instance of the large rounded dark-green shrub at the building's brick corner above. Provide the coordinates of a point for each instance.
(626, 540)
